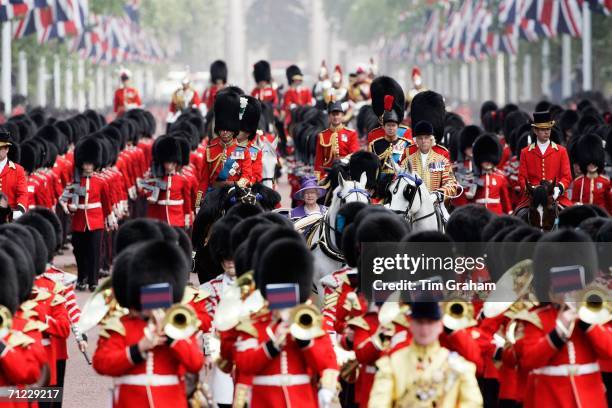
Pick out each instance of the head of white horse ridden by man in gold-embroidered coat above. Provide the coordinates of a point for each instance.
(410, 197)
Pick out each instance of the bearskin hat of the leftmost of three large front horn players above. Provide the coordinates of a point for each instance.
(156, 262)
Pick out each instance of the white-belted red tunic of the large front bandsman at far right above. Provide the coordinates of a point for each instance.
(543, 352)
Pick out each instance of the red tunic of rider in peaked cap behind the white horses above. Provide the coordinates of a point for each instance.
(334, 144)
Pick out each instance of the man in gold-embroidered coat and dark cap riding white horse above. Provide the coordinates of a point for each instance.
(433, 168)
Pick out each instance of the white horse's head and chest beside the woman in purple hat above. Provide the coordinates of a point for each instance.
(321, 238)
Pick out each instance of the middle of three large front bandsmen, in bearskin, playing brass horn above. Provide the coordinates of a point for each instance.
(284, 359)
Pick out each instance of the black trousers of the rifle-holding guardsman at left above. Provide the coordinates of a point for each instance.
(87, 253)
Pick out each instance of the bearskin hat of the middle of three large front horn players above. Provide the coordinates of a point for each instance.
(286, 261)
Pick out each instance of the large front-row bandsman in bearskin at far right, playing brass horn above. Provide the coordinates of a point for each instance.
(562, 345)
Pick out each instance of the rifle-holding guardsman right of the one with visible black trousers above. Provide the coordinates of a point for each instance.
(168, 193)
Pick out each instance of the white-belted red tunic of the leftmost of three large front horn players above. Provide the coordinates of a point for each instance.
(135, 376)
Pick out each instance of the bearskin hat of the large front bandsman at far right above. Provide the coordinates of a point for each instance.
(547, 255)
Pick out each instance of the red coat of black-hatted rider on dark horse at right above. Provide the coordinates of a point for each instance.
(553, 165)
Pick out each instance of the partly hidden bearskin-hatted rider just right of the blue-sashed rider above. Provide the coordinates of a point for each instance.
(249, 123)
